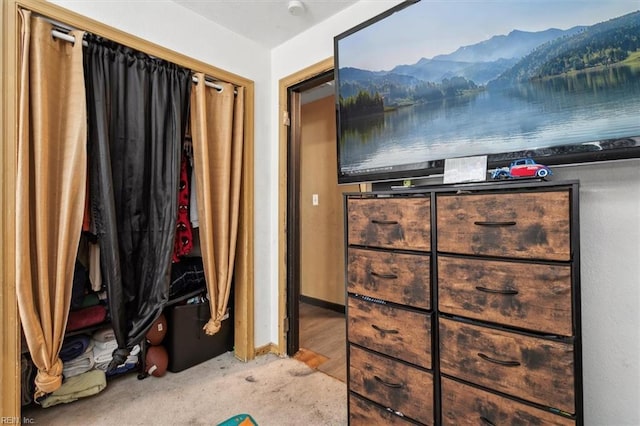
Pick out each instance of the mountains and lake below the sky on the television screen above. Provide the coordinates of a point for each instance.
(557, 94)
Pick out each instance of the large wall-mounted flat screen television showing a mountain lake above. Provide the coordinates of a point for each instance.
(557, 81)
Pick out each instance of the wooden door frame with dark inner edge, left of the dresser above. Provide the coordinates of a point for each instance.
(288, 190)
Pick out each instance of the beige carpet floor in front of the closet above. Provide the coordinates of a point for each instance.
(274, 391)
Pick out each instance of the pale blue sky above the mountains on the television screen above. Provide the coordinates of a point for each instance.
(442, 26)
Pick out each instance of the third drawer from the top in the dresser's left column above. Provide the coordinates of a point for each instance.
(396, 332)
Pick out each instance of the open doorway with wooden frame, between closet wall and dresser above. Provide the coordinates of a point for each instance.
(313, 321)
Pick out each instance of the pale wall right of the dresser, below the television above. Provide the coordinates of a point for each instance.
(610, 270)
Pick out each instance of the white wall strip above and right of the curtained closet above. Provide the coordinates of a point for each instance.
(169, 25)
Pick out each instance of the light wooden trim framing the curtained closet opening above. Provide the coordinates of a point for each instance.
(242, 296)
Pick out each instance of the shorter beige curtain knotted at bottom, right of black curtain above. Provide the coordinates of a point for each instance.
(217, 131)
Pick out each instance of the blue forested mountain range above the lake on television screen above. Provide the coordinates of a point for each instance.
(499, 61)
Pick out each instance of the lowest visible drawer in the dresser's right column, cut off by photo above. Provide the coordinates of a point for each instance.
(467, 405)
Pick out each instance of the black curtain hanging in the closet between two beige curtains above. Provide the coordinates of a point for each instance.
(137, 113)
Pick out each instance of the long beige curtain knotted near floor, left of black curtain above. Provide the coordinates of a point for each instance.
(51, 185)
